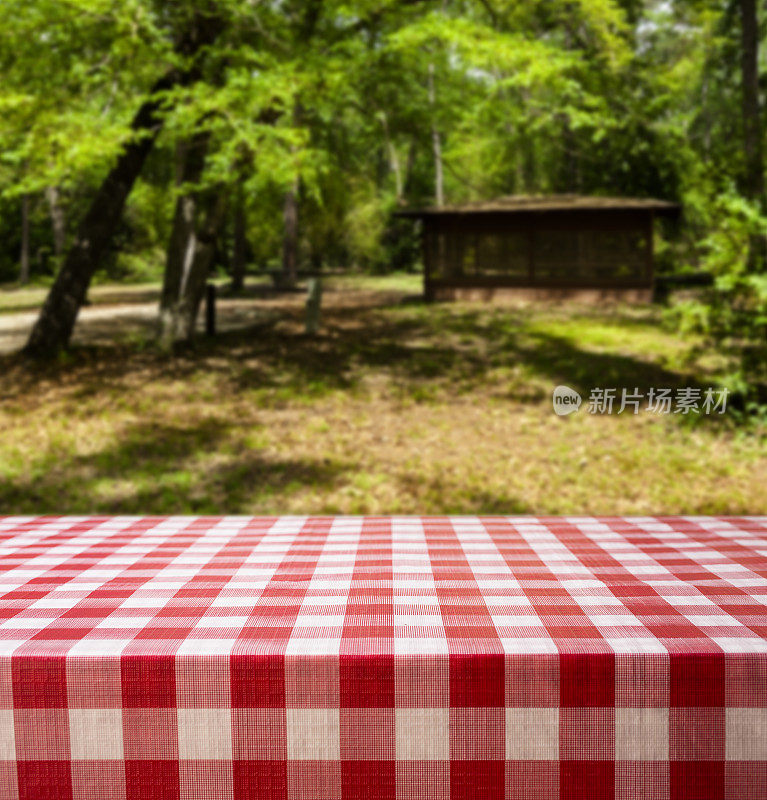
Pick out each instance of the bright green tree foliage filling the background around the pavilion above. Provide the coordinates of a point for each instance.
(344, 100)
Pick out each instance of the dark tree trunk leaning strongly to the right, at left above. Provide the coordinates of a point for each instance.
(54, 326)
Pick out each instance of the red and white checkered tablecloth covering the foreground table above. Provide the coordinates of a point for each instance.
(402, 657)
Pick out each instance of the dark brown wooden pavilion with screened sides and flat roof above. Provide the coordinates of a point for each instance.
(541, 246)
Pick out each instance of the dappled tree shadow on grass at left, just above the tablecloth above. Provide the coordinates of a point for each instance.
(163, 469)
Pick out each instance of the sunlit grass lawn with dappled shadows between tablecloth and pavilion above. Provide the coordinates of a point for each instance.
(398, 407)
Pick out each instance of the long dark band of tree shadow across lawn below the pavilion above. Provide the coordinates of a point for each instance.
(451, 350)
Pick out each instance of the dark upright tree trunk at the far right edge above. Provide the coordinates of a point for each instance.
(752, 125)
